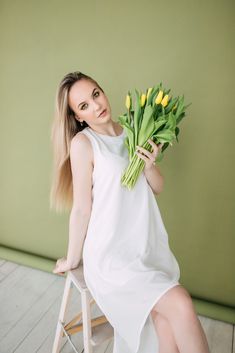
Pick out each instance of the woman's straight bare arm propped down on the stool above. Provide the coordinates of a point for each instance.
(82, 167)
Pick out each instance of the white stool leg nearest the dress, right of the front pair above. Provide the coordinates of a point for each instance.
(86, 319)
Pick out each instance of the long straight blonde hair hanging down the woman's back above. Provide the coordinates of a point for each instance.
(64, 127)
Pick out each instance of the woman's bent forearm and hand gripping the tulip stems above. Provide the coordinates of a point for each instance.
(151, 170)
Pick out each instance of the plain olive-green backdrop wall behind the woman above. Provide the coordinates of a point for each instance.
(189, 46)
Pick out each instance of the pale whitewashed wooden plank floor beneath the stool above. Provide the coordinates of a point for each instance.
(29, 307)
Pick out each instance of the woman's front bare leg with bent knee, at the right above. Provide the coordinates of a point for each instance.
(177, 307)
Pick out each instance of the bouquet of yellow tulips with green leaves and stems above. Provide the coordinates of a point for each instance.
(154, 116)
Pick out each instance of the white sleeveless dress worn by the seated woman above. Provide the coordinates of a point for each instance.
(127, 262)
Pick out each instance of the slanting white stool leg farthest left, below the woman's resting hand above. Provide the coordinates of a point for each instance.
(64, 303)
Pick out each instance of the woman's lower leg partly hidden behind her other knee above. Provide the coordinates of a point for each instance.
(165, 335)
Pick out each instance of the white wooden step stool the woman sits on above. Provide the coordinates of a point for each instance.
(95, 331)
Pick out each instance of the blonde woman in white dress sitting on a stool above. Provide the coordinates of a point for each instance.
(118, 233)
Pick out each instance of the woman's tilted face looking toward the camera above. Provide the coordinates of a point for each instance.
(88, 101)
